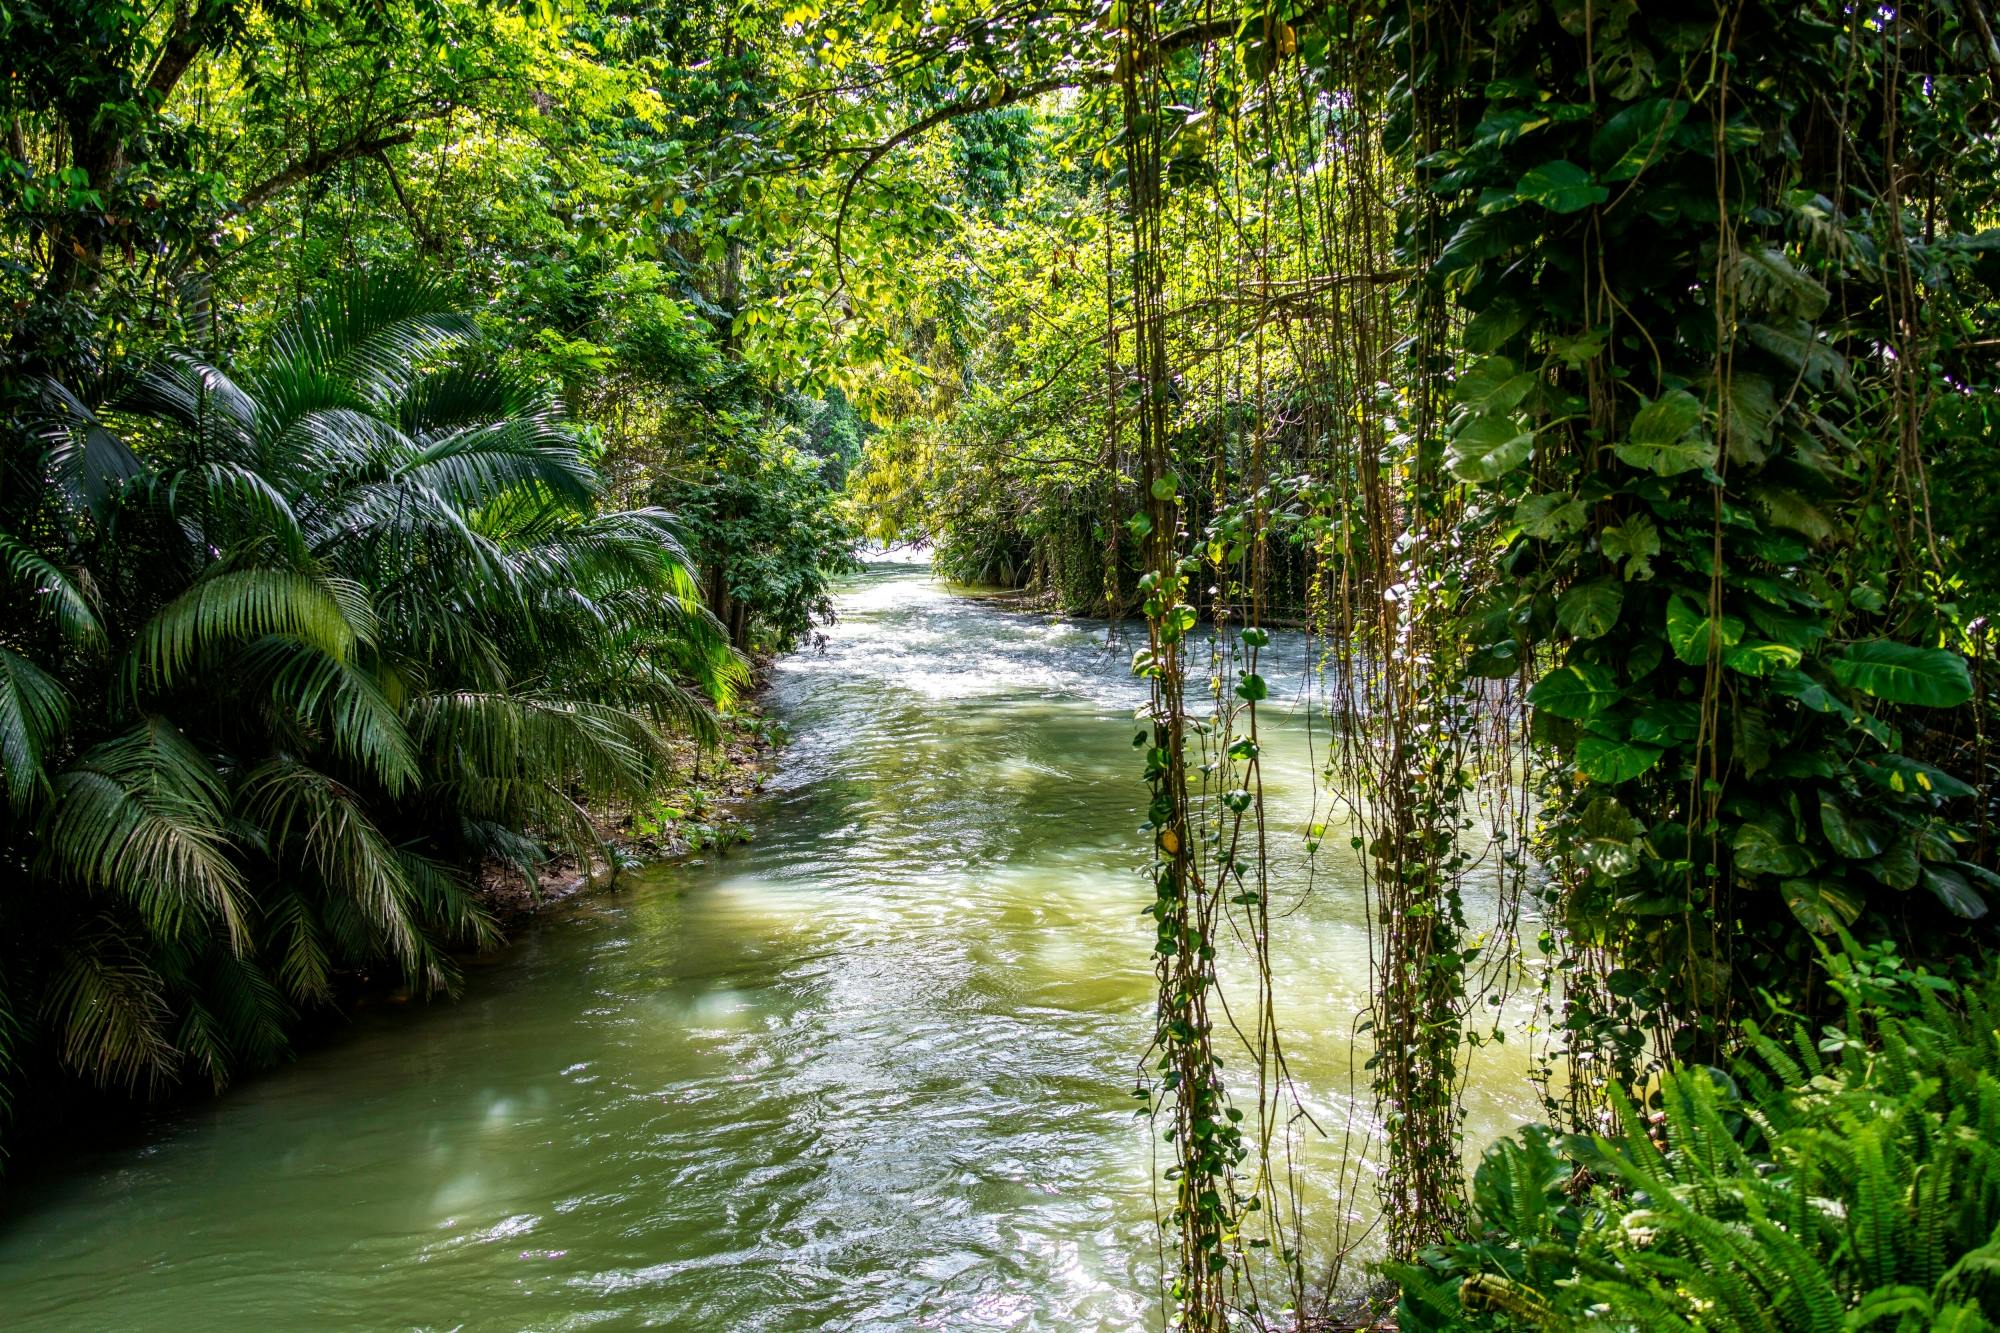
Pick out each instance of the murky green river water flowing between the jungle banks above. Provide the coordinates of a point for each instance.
(871, 1072)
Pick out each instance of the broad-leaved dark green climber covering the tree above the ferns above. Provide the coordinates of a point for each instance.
(1695, 261)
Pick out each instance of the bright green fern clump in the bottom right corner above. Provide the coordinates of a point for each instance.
(1839, 1180)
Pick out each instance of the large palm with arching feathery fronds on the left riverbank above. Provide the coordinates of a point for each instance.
(295, 649)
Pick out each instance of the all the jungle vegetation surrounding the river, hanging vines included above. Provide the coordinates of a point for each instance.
(1607, 389)
